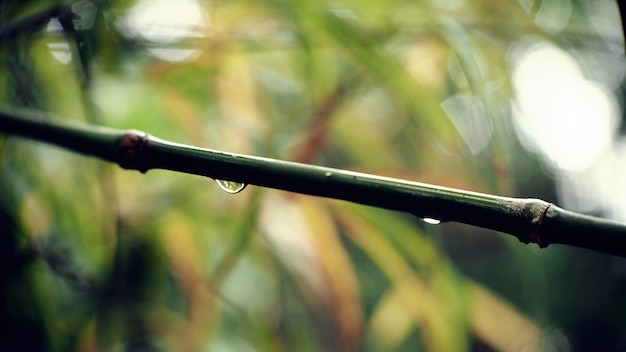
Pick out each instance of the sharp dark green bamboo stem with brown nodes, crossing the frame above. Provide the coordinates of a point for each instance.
(530, 220)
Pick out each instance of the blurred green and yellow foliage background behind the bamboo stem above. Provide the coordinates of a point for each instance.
(517, 98)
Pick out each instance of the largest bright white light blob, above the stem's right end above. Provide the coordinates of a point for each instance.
(559, 113)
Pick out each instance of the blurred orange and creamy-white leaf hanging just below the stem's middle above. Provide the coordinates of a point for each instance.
(303, 234)
